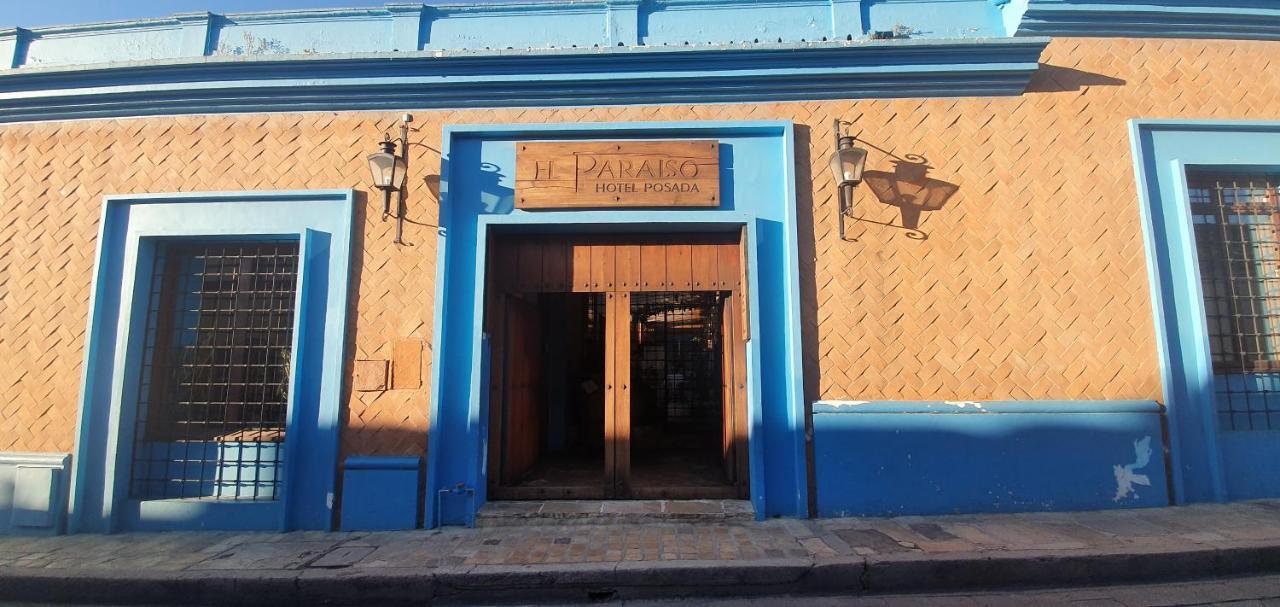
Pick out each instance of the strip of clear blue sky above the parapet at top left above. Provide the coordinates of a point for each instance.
(36, 13)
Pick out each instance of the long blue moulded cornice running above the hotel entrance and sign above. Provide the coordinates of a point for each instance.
(524, 79)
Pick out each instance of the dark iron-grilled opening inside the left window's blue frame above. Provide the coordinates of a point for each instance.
(214, 393)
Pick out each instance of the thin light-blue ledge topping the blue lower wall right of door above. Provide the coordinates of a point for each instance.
(980, 408)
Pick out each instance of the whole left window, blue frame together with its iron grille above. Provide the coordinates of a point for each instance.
(134, 471)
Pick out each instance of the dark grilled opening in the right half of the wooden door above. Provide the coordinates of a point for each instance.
(676, 357)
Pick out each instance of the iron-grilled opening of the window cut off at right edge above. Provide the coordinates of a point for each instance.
(1236, 218)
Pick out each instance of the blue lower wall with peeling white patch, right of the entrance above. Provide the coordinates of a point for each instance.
(886, 459)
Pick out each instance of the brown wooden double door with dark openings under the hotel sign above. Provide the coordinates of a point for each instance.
(618, 367)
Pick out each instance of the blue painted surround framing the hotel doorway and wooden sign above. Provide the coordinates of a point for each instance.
(459, 414)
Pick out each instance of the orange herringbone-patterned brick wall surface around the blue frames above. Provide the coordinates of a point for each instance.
(1031, 285)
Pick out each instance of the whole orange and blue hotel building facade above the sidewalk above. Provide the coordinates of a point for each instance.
(1053, 289)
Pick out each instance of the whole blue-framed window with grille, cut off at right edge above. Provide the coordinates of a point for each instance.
(1210, 385)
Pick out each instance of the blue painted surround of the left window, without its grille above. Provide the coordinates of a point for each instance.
(131, 227)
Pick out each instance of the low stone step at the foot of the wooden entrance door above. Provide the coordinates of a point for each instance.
(612, 512)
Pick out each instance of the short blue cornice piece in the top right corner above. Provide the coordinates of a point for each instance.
(1238, 20)
